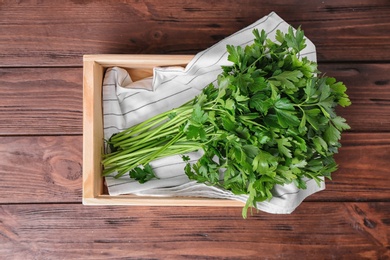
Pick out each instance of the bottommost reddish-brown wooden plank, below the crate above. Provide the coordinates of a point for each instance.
(314, 231)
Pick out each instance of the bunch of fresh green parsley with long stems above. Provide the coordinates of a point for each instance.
(271, 120)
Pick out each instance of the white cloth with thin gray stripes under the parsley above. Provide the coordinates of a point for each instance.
(126, 103)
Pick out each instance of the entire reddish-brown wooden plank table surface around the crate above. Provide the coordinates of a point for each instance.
(41, 215)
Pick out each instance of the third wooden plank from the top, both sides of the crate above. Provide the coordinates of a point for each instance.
(48, 169)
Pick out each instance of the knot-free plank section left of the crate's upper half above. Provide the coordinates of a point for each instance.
(41, 101)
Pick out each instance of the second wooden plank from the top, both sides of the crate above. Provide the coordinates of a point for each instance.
(48, 101)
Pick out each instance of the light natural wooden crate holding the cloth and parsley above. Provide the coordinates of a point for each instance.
(139, 66)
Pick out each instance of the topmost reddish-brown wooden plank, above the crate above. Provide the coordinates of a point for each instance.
(49, 34)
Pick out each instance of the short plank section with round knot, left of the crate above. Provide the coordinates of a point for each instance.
(40, 169)
